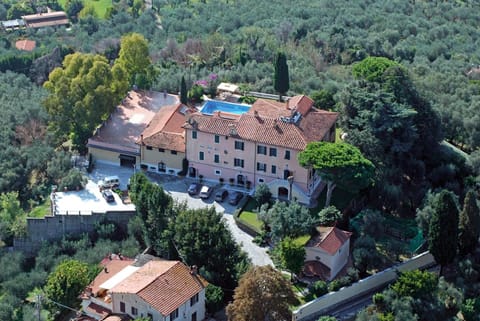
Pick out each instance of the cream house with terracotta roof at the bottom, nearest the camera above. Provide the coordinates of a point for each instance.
(159, 289)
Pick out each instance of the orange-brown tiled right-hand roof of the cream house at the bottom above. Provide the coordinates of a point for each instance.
(172, 288)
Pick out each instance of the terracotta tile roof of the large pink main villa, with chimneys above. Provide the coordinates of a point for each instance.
(263, 124)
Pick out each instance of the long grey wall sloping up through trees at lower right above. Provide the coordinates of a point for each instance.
(326, 303)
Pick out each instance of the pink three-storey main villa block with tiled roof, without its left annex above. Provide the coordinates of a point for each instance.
(260, 146)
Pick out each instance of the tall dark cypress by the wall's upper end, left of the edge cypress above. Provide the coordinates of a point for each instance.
(443, 229)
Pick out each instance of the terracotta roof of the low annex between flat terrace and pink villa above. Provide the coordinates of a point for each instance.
(165, 130)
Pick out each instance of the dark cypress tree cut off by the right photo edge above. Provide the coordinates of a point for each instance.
(469, 225)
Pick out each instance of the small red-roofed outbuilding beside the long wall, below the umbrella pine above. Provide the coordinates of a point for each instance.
(327, 252)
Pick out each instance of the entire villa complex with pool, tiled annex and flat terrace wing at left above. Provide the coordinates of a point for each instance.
(224, 142)
